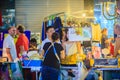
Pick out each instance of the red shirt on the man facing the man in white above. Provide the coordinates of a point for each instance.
(22, 41)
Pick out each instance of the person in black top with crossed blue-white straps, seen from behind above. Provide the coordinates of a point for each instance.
(52, 53)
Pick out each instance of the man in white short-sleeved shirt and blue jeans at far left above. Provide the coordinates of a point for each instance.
(9, 51)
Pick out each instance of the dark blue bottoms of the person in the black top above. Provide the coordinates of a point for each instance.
(49, 73)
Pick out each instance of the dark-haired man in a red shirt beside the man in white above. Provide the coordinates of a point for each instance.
(22, 44)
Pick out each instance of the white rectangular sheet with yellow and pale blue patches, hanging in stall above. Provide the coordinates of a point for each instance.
(81, 34)
